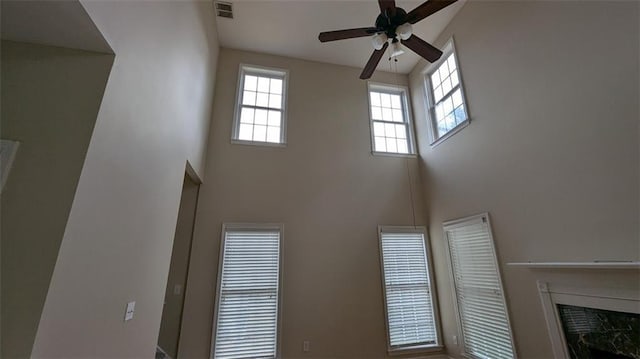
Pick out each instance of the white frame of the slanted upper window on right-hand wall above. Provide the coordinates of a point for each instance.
(448, 49)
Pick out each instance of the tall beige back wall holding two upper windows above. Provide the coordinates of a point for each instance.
(330, 193)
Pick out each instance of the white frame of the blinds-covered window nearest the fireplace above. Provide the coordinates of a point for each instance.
(461, 222)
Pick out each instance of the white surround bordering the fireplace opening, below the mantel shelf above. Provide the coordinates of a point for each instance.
(616, 299)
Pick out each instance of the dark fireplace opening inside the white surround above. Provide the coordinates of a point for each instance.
(596, 333)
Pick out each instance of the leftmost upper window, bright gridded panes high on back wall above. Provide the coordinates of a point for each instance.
(261, 102)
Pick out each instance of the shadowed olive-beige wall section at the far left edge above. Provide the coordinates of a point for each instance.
(50, 98)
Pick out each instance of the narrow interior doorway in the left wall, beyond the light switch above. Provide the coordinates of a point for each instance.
(169, 337)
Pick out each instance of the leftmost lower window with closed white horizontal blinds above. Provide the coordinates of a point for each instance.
(246, 324)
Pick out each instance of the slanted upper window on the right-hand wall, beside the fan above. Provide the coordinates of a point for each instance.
(447, 109)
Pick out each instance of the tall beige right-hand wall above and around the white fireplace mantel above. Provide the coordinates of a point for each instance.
(552, 149)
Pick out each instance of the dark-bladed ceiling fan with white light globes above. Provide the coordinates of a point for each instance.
(393, 25)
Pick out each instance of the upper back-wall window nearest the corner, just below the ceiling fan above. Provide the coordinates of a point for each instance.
(390, 124)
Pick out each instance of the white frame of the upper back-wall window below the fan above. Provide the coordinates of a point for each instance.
(403, 91)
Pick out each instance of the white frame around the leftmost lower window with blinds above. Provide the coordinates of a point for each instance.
(249, 227)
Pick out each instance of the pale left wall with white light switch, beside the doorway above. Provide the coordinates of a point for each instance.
(117, 243)
